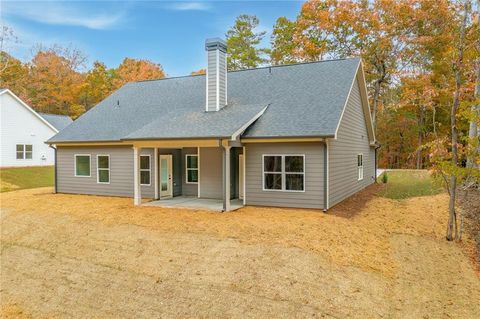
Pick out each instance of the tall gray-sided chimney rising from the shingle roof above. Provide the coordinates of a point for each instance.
(216, 92)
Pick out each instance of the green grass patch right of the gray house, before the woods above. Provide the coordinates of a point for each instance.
(409, 183)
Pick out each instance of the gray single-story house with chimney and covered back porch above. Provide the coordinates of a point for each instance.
(297, 135)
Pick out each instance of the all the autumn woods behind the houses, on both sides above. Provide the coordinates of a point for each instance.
(421, 58)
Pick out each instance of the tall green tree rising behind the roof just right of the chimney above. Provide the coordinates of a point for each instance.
(243, 42)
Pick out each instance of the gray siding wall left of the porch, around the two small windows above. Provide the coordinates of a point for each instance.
(121, 172)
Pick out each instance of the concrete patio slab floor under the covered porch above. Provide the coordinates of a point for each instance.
(191, 202)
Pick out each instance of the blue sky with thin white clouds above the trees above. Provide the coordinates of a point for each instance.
(171, 33)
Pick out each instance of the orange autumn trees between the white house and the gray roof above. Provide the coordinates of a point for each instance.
(55, 79)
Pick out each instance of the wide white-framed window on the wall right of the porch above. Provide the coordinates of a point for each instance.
(284, 173)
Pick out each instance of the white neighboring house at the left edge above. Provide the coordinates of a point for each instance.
(23, 132)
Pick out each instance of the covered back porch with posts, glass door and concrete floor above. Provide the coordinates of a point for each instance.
(190, 173)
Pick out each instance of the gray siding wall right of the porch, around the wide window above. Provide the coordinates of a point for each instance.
(314, 175)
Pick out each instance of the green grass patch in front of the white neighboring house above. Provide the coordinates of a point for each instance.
(26, 177)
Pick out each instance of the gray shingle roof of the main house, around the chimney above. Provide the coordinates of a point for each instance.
(304, 100)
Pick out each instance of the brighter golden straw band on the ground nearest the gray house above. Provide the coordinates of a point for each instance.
(361, 241)
